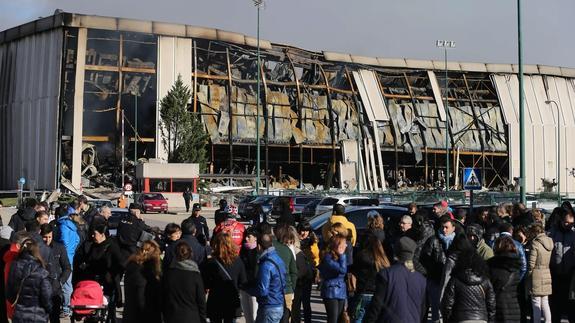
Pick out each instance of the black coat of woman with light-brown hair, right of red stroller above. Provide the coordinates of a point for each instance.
(142, 291)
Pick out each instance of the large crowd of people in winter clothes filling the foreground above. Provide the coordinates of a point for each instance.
(500, 264)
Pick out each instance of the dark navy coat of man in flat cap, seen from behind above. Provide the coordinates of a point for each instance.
(399, 296)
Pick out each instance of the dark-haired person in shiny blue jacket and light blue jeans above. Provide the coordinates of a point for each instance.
(270, 283)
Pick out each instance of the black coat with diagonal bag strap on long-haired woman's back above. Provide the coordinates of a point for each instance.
(222, 289)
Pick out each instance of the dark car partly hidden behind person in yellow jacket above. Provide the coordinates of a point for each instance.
(358, 216)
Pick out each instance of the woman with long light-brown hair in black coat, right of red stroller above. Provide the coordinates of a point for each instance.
(142, 286)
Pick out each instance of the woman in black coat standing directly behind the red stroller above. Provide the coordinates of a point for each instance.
(101, 260)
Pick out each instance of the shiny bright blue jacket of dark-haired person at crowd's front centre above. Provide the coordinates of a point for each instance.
(271, 281)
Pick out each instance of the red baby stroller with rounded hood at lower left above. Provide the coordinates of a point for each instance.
(88, 302)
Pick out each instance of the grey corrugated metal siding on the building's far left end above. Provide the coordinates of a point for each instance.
(30, 70)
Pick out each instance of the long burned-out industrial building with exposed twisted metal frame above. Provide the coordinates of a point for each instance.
(325, 119)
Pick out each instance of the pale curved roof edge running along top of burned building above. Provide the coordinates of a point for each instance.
(65, 19)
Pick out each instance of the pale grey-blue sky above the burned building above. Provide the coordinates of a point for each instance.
(484, 30)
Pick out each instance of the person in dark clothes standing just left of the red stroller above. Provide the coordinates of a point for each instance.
(58, 267)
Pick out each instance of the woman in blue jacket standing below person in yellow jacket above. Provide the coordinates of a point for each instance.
(333, 269)
